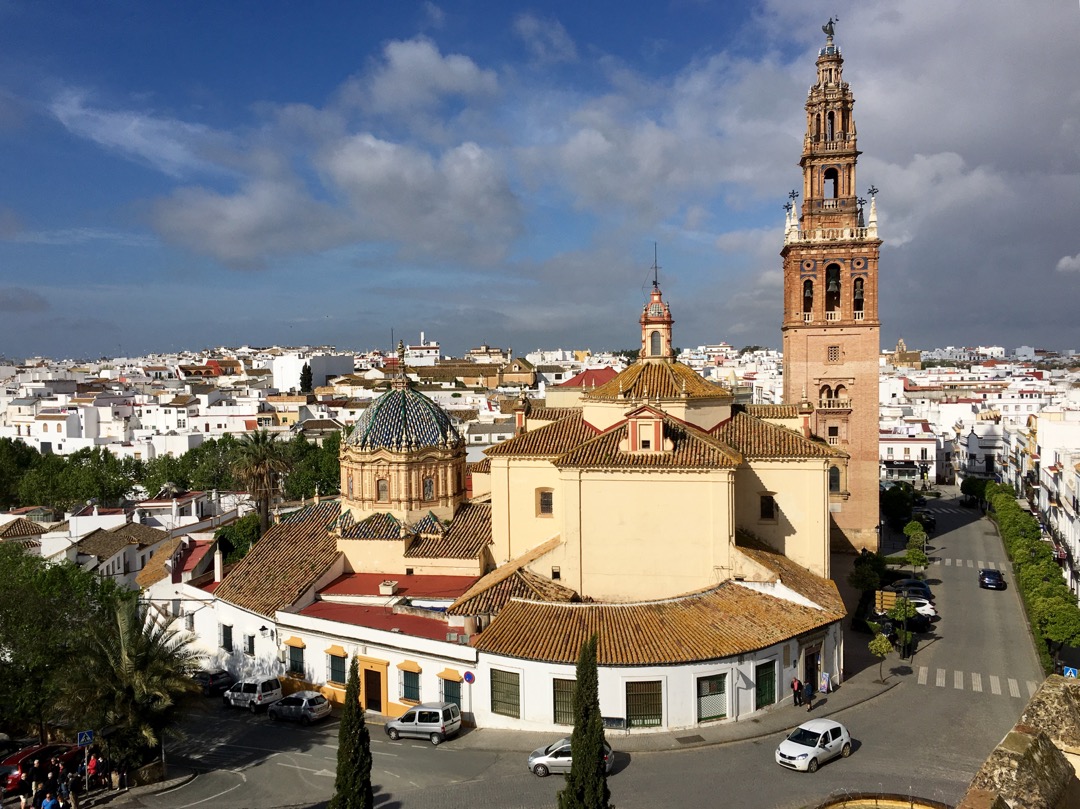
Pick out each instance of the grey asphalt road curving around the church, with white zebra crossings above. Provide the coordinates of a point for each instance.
(966, 686)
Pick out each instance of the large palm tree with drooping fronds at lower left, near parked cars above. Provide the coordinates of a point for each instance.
(133, 675)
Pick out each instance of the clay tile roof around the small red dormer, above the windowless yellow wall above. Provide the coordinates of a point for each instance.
(692, 450)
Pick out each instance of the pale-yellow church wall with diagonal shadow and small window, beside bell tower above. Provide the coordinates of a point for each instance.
(802, 527)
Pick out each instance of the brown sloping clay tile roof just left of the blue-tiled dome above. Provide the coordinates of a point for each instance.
(289, 559)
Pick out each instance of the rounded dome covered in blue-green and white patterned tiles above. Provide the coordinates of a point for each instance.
(404, 420)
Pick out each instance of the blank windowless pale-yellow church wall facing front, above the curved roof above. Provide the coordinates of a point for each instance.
(647, 535)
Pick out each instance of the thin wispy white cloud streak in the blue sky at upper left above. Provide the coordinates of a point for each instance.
(169, 145)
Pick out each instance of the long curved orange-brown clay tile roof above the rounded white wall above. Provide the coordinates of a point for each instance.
(726, 621)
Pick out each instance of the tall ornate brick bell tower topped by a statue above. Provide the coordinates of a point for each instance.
(831, 331)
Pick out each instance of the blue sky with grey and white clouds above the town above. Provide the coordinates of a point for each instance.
(186, 176)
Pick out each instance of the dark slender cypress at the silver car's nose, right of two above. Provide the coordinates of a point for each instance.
(587, 783)
